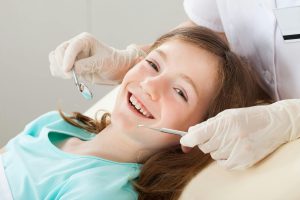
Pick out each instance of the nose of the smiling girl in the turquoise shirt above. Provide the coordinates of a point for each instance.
(153, 86)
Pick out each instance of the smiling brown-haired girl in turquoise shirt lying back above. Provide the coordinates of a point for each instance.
(189, 75)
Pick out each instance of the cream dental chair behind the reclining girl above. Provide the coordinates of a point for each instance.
(277, 177)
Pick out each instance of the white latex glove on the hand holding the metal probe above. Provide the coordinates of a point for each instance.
(239, 138)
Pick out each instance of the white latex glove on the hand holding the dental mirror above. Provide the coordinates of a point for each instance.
(93, 60)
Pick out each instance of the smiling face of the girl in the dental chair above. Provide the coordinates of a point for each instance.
(171, 88)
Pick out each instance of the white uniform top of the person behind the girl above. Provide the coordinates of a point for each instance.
(253, 32)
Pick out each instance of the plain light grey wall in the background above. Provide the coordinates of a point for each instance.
(30, 29)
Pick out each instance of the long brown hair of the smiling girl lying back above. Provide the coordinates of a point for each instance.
(164, 175)
